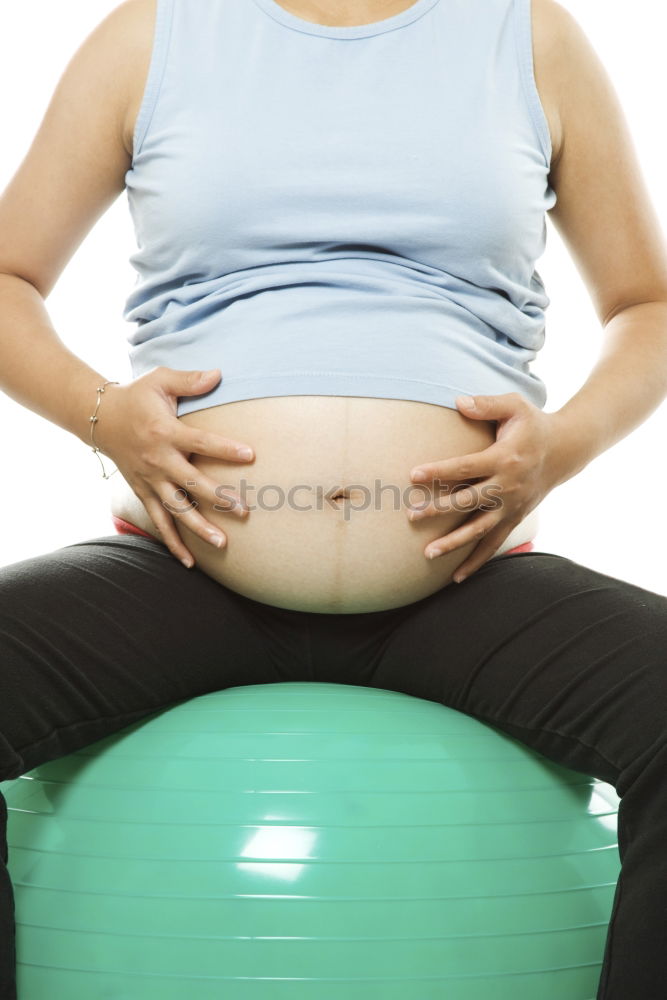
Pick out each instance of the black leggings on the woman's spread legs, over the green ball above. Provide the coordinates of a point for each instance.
(572, 662)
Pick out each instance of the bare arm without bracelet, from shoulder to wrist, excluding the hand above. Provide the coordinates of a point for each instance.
(607, 222)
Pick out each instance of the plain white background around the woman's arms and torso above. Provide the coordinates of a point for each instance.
(609, 517)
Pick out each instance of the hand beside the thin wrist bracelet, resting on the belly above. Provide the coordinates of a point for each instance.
(139, 430)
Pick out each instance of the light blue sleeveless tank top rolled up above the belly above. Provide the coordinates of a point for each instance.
(346, 211)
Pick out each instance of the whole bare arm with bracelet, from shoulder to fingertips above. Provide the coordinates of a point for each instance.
(73, 171)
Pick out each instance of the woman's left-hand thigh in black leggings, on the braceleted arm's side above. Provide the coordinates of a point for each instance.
(97, 634)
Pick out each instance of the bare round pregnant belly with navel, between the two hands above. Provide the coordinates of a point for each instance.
(299, 547)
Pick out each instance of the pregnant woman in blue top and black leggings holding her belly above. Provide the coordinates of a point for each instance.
(338, 208)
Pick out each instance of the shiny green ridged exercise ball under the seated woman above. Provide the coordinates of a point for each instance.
(310, 841)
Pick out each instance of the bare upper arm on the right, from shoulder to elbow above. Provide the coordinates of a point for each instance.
(604, 211)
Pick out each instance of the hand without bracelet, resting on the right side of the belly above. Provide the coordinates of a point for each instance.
(516, 472)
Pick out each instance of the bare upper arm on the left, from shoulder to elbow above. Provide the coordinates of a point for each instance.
(76, 164)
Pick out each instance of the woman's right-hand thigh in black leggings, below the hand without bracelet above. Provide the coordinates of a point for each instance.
(568, 659)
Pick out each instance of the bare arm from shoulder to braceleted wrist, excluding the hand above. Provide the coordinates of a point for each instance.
(72, 173)
